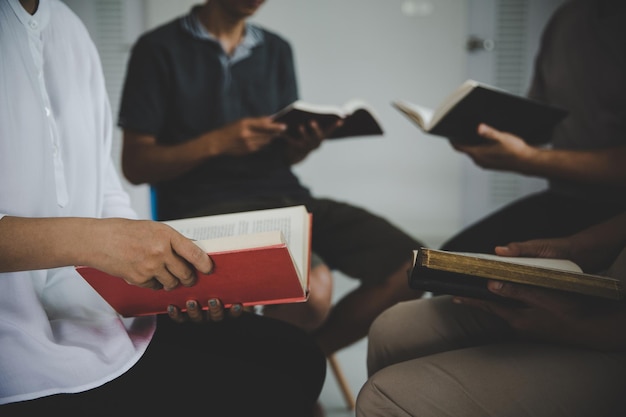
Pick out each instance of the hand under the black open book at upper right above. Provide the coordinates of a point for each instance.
(503, 152)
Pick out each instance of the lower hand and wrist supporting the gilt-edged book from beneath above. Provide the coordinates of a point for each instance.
(552, 316)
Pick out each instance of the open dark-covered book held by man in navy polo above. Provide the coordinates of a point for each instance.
(358, 117)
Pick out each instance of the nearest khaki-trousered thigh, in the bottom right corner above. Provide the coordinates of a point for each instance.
(513, 380)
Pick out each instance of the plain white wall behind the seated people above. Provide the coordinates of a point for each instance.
(370, 49)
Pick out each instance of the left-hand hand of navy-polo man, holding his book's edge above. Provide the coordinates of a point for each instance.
(246, 136)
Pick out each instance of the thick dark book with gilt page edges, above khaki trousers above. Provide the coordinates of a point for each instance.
(466, 274)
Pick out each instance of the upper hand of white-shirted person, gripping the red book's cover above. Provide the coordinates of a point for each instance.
(145, 253)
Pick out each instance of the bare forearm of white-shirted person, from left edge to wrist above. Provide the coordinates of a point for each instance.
(41, 243)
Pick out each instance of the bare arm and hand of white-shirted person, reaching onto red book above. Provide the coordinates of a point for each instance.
(144, 253)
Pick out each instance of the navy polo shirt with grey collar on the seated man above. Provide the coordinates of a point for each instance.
(181, 84)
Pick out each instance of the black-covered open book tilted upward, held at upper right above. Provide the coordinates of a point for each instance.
(459, 115)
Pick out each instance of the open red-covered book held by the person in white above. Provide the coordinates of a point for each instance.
(259, 257)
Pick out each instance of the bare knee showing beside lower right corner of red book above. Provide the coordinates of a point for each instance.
(311, 314)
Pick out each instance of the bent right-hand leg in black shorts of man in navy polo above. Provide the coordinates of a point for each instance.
(361, 245)
